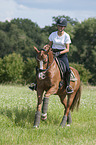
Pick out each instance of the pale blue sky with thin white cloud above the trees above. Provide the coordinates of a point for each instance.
(42, 11)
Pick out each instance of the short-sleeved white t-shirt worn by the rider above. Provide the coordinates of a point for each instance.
(59, 42)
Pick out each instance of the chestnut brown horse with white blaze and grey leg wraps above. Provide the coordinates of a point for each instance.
(48, 78)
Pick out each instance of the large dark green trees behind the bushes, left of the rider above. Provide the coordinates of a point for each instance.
(20, 35)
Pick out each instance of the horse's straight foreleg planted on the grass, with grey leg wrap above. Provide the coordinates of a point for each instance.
(38, 112)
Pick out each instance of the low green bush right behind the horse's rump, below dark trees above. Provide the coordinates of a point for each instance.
(85, 74)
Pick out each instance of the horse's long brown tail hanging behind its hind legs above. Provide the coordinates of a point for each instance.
(76, 101)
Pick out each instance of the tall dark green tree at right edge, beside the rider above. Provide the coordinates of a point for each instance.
(85, 42)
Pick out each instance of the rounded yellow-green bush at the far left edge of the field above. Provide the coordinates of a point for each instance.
(11, 68)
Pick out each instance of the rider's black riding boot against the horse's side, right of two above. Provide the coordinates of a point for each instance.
(69, 89)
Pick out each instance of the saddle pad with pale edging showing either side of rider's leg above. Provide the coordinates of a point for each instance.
(62, 68)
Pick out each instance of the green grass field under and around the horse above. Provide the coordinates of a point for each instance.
(17, 110)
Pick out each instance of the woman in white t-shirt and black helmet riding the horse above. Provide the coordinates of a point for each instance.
(59, 42)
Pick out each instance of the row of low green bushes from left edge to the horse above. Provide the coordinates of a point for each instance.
(15, 70)
